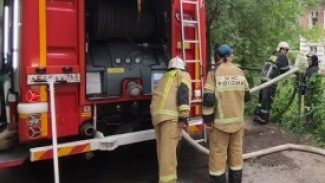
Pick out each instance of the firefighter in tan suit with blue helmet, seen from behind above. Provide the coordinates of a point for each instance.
(225, 93)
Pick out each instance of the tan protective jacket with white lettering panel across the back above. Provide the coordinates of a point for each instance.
(223, 99)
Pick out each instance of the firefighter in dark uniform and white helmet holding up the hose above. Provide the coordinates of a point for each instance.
(274, 66)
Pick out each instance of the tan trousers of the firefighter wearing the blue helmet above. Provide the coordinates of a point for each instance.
(225, 146)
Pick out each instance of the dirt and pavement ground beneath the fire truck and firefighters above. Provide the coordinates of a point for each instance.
(138, 164)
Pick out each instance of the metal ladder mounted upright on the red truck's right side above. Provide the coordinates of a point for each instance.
(186, 23)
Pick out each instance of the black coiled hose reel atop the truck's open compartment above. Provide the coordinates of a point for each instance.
(108, 21)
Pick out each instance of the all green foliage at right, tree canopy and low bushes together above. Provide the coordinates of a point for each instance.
(254, 28)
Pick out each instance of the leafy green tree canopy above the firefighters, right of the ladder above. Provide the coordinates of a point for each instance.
(255, 28)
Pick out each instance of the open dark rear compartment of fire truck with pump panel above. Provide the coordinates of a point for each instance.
(127, 53)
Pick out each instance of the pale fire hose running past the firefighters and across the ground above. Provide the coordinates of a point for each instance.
(266, 151)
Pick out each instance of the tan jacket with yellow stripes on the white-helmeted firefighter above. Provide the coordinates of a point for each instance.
(171, 97)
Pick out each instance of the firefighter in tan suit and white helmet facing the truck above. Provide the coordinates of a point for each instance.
(170, 112)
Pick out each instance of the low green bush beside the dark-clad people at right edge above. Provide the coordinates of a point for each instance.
(286, 106)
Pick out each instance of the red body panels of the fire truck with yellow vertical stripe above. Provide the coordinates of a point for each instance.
(64, 47)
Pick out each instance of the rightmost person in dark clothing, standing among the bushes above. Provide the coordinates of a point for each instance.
(307, 85)
